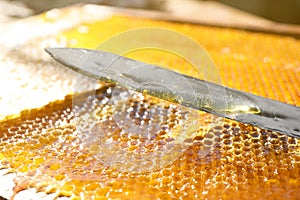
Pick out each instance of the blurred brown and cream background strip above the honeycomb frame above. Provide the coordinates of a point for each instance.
(285, 11)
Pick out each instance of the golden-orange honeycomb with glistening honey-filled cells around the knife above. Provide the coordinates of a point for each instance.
(54, 150)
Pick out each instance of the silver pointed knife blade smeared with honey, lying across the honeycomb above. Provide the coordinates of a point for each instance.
(182, 89)
